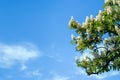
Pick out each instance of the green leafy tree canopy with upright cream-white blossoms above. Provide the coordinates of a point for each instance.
(99, 37)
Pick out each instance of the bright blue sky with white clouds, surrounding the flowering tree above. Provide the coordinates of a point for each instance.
(35, 39)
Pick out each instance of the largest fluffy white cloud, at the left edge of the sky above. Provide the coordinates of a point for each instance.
(11, 54)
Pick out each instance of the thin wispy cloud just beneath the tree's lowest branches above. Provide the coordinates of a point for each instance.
(98, 77)
